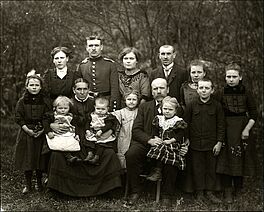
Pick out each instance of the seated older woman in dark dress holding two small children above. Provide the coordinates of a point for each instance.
(83, 179)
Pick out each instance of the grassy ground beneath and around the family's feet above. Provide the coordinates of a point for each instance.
(249, 199)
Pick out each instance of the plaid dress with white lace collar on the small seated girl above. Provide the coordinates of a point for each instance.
(167, 129)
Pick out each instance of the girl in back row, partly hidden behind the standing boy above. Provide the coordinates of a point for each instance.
(188, 91)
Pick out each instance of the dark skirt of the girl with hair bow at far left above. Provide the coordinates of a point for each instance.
(28, 152)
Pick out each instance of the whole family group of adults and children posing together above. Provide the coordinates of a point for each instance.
(100, 127)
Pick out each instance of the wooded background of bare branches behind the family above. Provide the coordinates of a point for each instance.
(216, 31)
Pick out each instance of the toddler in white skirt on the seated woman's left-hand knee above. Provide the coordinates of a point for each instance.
(62, 116)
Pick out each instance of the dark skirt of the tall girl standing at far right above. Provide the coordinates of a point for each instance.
(237, 156)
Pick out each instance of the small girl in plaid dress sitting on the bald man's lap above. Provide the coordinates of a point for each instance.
(170, 128)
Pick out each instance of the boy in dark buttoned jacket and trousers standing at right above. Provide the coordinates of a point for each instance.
(206, 128)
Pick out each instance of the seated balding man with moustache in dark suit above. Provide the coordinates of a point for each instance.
(141, 142)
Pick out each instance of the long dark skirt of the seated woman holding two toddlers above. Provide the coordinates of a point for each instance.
(83, 179)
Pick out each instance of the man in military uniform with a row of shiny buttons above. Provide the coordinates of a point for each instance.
(100, 72)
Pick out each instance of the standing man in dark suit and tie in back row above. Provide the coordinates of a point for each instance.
(170, 71)
